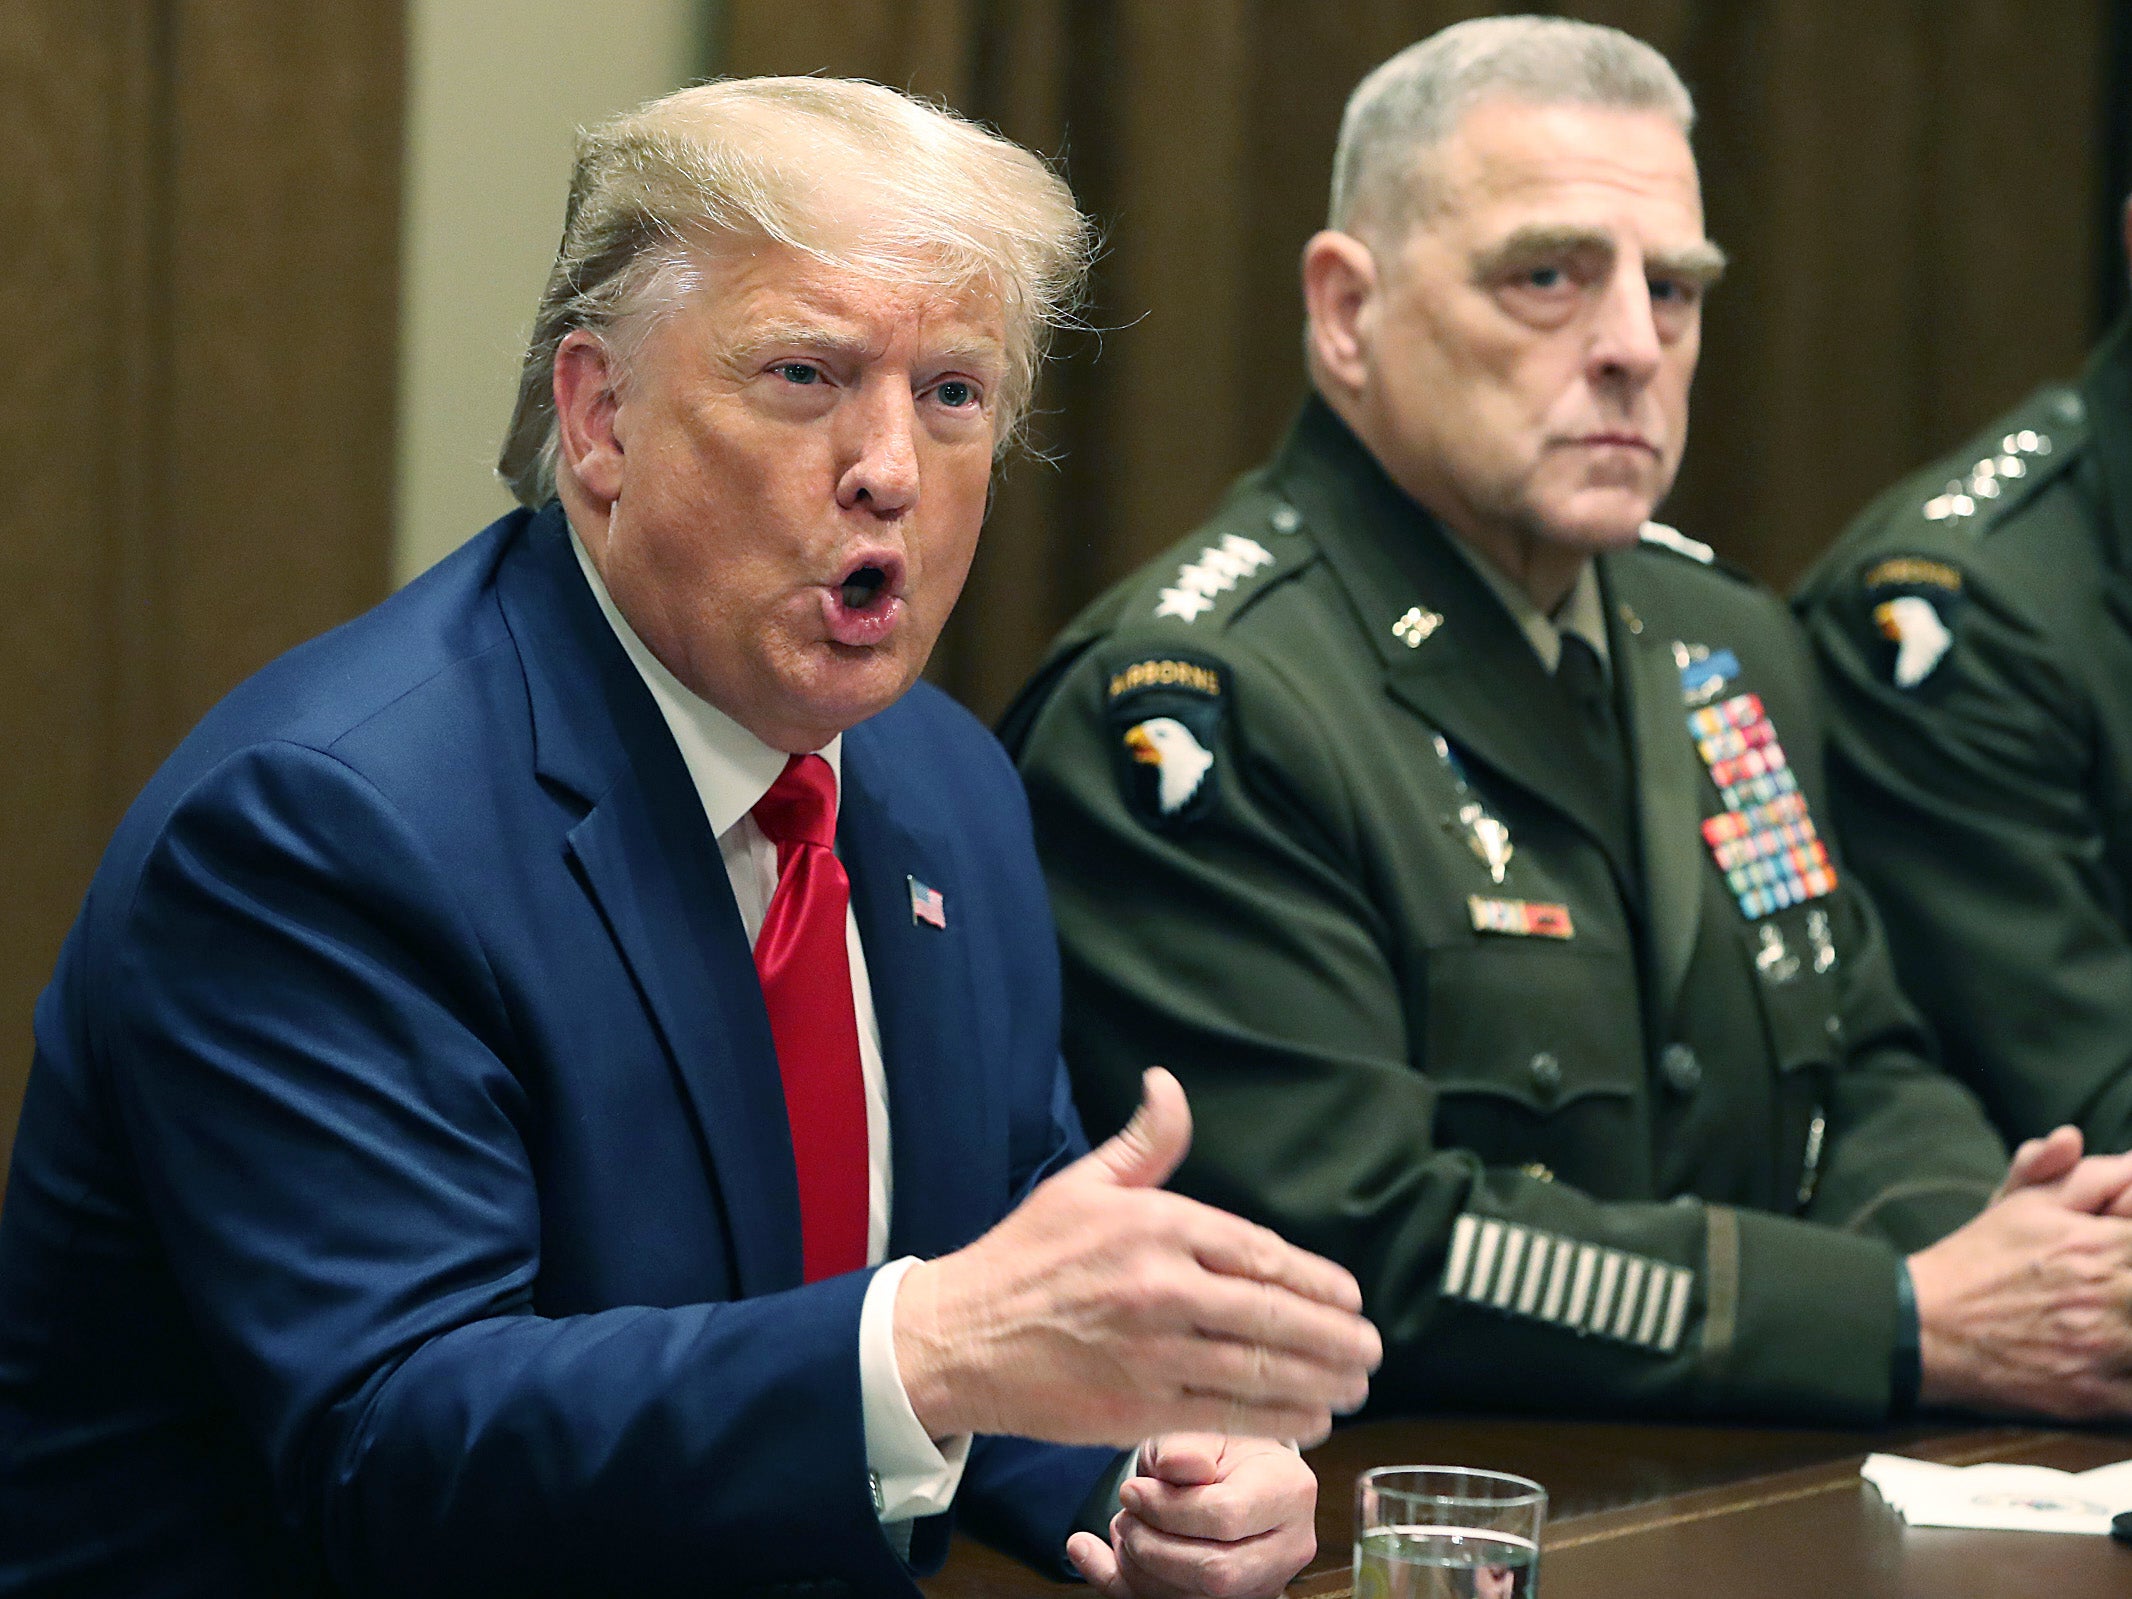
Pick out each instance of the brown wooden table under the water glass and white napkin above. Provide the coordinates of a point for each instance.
(1700, 1513)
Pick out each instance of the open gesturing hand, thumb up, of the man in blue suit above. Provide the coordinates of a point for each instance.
(1105, 1310)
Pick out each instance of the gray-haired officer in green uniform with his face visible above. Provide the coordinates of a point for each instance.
(1461, 837)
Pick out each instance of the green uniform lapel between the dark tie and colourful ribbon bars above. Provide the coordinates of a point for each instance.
(1668, 781)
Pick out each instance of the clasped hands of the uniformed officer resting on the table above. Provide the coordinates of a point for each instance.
(2029, 1308)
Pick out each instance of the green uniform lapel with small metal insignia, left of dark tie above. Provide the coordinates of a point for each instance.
(1474, 677)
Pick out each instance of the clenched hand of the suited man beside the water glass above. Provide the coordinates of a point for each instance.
(1206, 1515)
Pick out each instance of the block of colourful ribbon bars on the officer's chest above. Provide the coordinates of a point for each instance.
(1764, 841)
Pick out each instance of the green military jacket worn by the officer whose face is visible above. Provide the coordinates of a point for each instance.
(1570, 1129)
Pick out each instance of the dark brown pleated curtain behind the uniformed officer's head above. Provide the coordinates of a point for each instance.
(1911, 193)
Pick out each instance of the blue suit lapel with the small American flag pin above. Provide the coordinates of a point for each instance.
(946, 1135)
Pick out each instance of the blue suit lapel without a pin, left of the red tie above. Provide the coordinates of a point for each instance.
(653, 871)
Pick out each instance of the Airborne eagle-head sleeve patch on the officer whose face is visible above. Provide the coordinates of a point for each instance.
(1165, 717)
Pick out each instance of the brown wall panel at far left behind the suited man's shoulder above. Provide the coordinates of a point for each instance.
(199, 229)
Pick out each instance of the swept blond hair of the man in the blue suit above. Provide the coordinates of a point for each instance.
(747, 161)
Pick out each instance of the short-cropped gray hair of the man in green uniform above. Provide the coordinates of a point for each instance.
(1419, 97)
